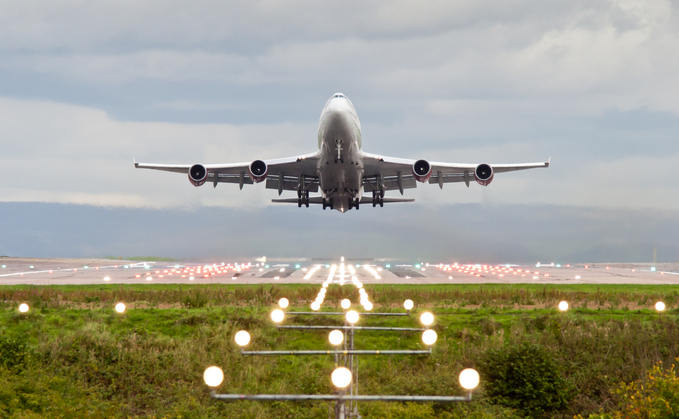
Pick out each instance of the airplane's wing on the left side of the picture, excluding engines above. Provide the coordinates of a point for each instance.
(281, 174)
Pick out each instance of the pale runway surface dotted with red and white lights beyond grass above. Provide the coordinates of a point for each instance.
(31, 271)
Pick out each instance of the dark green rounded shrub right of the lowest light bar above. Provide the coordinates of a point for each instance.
(524, 377)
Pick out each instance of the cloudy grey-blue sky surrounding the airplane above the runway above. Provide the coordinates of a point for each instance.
(85, 87)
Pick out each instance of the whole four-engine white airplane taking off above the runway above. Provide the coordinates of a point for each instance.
(340, 169)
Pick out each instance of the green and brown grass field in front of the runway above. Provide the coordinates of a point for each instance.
(72, 356)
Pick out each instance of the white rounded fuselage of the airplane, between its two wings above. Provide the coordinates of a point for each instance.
(340, 168)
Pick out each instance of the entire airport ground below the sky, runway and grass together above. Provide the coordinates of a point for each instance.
(73, 355)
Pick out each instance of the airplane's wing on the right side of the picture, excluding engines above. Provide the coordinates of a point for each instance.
(397, 174)
